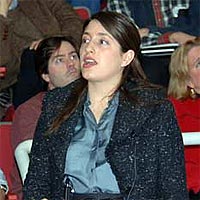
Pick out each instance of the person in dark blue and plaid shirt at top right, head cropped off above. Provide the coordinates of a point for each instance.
(161, 21)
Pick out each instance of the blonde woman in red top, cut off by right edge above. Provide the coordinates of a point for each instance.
(184, 93)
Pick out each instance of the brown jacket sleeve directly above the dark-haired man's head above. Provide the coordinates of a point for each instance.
(70, 21)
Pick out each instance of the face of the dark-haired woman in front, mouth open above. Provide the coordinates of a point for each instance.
(100, 54)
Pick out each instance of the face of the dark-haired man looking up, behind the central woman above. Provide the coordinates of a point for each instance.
(63, 66)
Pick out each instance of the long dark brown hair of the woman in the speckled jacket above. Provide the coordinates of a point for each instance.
(127, 35)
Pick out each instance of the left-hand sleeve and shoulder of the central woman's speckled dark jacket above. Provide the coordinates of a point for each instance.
(39, 180)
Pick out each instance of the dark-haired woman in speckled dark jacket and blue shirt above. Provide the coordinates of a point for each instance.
(114, 136)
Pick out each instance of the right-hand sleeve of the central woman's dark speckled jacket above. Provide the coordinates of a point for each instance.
(172, 179)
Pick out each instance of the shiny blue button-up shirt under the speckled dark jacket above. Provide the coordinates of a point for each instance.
(86, 165)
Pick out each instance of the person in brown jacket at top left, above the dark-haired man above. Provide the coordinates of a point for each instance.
(26, 24)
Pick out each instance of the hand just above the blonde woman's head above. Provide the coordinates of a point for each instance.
(180, 37)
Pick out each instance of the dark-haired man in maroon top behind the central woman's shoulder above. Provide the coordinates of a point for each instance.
(57, 62)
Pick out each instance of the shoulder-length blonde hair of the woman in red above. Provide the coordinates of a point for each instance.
(179, 71)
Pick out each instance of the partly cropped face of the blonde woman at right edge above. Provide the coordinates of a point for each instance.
(194, 68)
